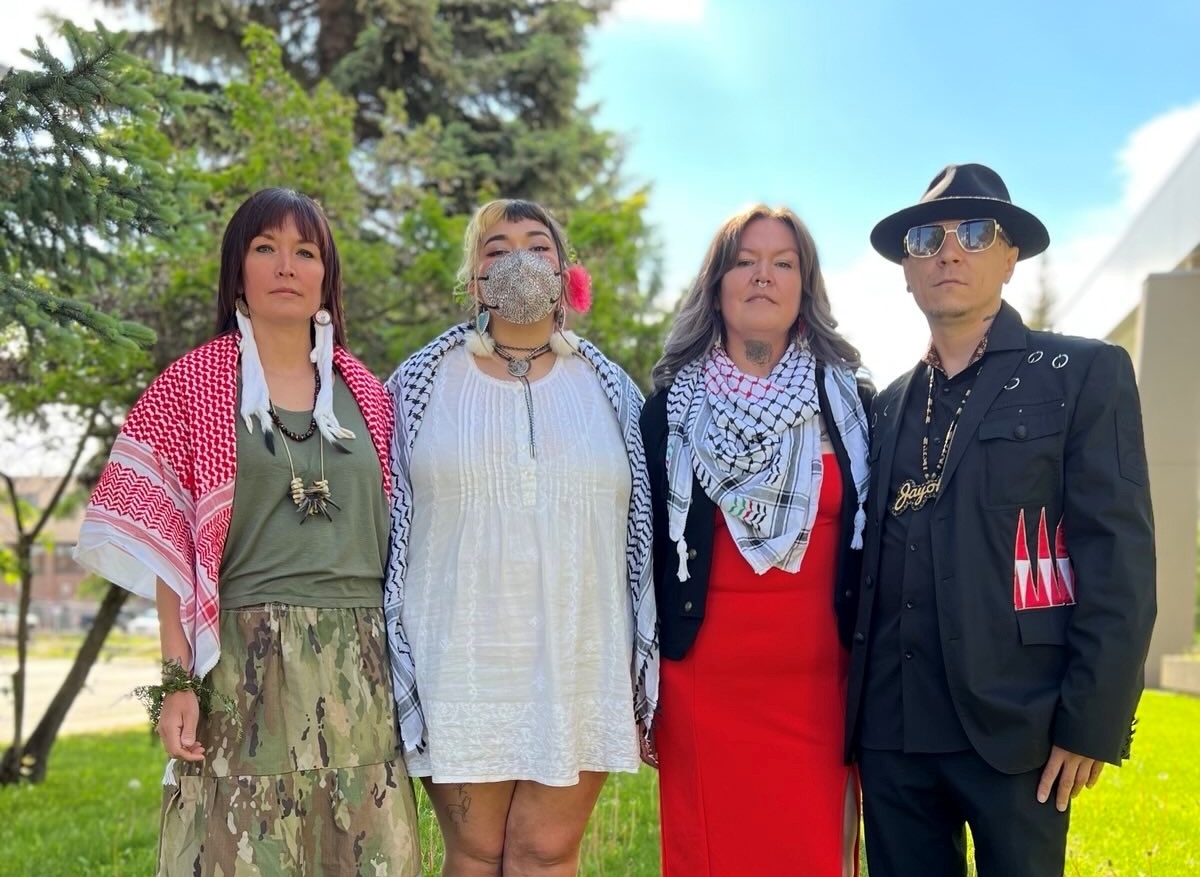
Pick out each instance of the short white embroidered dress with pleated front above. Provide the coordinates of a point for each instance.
(518, 602)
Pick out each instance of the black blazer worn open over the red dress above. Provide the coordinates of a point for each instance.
(682, 604)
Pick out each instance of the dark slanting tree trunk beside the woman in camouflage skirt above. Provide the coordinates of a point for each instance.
(28, 764)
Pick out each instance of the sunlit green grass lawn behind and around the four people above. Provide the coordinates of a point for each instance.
(97, 814)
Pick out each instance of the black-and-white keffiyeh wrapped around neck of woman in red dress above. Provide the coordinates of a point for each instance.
(755, 447)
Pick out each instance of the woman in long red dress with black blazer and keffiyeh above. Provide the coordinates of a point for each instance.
(757, 441)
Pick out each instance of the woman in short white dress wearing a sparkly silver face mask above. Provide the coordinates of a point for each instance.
(520, 606)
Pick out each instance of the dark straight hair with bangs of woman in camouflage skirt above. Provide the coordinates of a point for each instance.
(266, 212)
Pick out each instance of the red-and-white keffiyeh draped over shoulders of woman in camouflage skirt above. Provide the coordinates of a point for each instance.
(165, 501)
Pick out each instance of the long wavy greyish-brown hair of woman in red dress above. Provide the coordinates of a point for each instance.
(699, 326)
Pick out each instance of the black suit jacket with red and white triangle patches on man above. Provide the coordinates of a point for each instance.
(1052, 434)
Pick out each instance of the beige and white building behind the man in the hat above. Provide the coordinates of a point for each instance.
(1153, 279)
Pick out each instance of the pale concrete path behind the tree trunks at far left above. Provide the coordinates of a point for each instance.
(105, 702)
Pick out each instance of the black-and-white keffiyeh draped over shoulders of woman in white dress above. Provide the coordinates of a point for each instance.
(411, 388)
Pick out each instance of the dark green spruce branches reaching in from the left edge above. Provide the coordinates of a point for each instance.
(74, 184)
